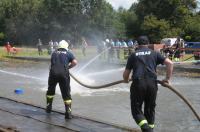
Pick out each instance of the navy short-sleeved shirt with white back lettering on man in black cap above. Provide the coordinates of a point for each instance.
(143, 62)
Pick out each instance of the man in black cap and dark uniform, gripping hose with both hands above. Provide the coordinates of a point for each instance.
(143, 63)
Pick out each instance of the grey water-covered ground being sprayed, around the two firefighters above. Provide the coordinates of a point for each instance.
(110, 104)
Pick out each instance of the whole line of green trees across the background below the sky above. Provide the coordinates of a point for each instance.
(24, 21)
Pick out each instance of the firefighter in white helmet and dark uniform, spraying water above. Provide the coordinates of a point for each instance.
(61, 61)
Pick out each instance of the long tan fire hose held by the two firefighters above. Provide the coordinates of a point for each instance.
(166, 85)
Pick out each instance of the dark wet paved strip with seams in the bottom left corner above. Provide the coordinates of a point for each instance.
(28, 118)
